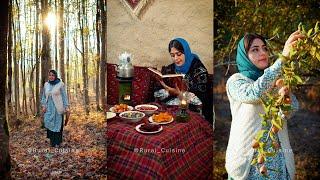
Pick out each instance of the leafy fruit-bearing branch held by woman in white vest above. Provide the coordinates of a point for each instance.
(303, 58)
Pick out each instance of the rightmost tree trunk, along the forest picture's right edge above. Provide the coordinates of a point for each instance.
(103, 7)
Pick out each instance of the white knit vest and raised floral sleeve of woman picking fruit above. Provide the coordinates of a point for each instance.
(244, 95)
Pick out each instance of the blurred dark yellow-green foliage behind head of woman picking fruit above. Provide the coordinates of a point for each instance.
(275, 20)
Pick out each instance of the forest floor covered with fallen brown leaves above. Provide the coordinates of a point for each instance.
(82, 153)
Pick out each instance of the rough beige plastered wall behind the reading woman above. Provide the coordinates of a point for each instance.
(147, 38)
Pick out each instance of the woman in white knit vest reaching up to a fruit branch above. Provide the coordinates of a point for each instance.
(245, 90)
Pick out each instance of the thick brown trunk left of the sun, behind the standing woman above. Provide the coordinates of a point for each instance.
(45, 54)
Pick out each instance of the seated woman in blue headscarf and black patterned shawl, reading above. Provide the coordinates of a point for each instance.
(195, 80)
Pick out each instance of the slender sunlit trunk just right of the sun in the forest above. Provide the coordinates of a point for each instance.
(61, 40)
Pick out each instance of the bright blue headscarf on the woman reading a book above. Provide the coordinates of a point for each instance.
(189, 56)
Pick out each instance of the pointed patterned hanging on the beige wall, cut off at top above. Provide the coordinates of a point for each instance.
(136, 7)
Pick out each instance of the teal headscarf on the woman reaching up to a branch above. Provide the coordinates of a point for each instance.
(245, 66)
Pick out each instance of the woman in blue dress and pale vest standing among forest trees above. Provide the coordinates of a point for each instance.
(54, 103)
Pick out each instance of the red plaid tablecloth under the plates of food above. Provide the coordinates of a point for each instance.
(180, 151)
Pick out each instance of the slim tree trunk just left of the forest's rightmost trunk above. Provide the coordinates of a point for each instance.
(98, 25)
